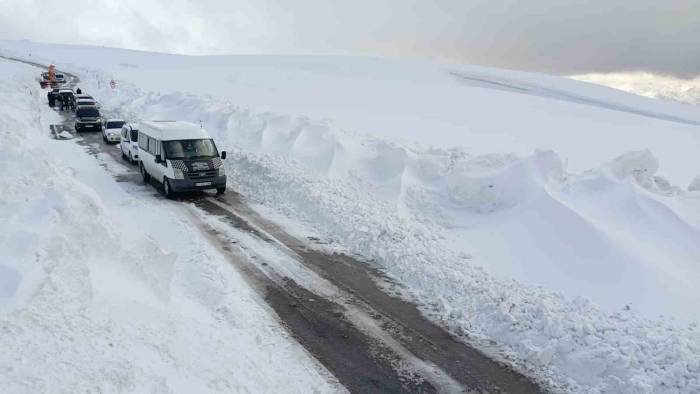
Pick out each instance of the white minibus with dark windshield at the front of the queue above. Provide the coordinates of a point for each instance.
(180, 155)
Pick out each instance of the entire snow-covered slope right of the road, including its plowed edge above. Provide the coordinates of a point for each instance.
(554, 221)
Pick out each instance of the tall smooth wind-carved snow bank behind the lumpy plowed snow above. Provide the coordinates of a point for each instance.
(603, 233)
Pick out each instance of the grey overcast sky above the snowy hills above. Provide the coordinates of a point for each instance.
(555, 36)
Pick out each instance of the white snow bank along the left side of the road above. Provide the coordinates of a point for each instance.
(108, 289)
